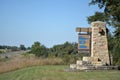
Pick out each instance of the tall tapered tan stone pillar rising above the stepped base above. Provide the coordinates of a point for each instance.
(99, 47)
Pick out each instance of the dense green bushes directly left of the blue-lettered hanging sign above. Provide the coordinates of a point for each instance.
(67, 51)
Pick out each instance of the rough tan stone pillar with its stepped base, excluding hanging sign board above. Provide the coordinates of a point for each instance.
(98, 48)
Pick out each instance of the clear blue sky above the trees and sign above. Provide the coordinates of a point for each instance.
(50, 22)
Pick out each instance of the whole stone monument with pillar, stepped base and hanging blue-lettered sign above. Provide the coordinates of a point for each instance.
(99, 58)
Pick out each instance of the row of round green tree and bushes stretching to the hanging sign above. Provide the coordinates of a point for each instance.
(67, 51)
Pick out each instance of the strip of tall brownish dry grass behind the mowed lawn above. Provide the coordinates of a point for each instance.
(21, 61)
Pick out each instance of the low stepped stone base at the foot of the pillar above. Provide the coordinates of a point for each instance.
(86, 65)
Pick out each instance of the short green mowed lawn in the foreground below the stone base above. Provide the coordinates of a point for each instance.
(56, 72)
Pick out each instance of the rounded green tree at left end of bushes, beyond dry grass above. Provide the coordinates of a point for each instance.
(39, 50)
